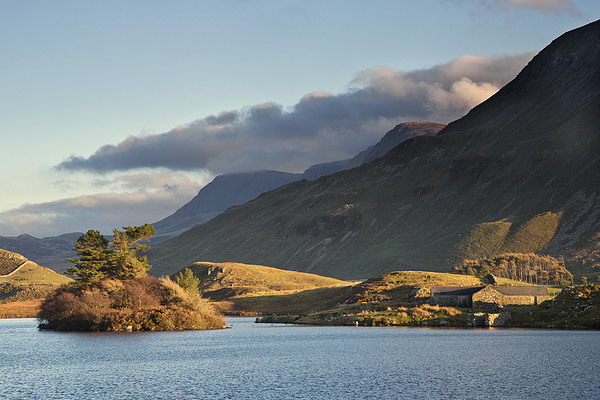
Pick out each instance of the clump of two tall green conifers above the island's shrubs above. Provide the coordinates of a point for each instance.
(99, 259)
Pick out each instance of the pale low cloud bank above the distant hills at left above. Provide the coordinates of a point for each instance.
(131, 199)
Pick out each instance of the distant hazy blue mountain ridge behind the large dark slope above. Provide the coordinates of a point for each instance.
(230, 190)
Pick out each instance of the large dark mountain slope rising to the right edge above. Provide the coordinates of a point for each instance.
(519, 173)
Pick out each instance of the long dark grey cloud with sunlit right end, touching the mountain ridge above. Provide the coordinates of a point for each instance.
(320, 127)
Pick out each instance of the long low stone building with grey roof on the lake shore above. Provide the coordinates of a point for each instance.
(488, 296)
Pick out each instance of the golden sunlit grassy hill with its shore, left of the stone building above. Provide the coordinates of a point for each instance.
(287, 296)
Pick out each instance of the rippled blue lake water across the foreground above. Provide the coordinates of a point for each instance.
(258, 361)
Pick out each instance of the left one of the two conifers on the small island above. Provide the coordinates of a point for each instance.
(94, 258)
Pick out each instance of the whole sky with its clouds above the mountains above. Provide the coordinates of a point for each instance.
(117, 113)
